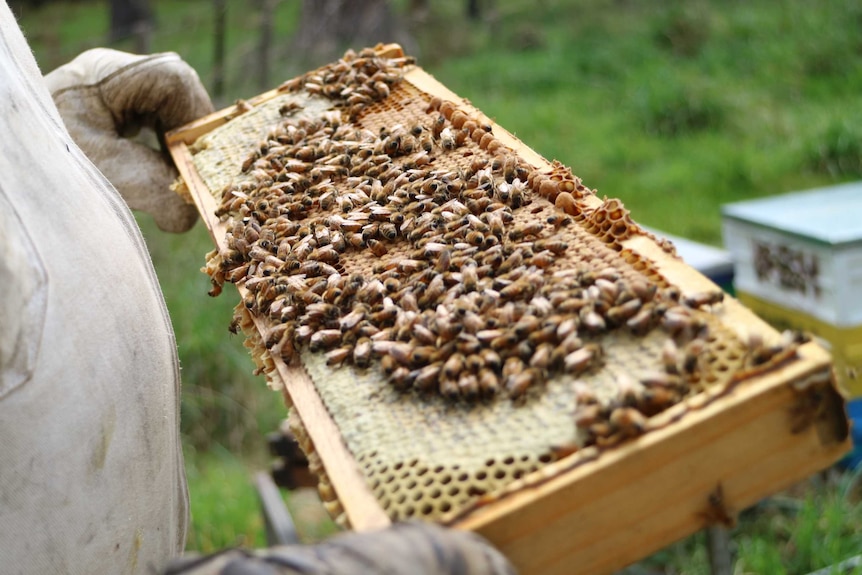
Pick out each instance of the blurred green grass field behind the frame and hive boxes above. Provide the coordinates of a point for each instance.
(676, 108)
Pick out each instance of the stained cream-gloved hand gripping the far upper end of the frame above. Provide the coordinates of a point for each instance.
(106, 96)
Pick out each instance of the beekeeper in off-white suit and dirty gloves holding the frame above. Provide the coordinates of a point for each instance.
(91, 472)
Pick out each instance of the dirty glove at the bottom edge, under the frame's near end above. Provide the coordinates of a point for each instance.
(414, 548)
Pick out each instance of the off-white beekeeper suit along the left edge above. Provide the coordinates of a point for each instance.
(91, 473)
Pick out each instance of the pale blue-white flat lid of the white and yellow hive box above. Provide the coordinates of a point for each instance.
(829, 216)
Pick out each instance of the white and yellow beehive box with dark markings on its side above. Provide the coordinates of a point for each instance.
(798, 263)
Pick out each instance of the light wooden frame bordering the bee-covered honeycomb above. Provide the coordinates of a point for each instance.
(585, 512)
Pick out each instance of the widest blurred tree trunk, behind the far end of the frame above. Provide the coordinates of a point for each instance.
(328, 27)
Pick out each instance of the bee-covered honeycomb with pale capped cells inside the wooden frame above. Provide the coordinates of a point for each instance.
(466, 316)
